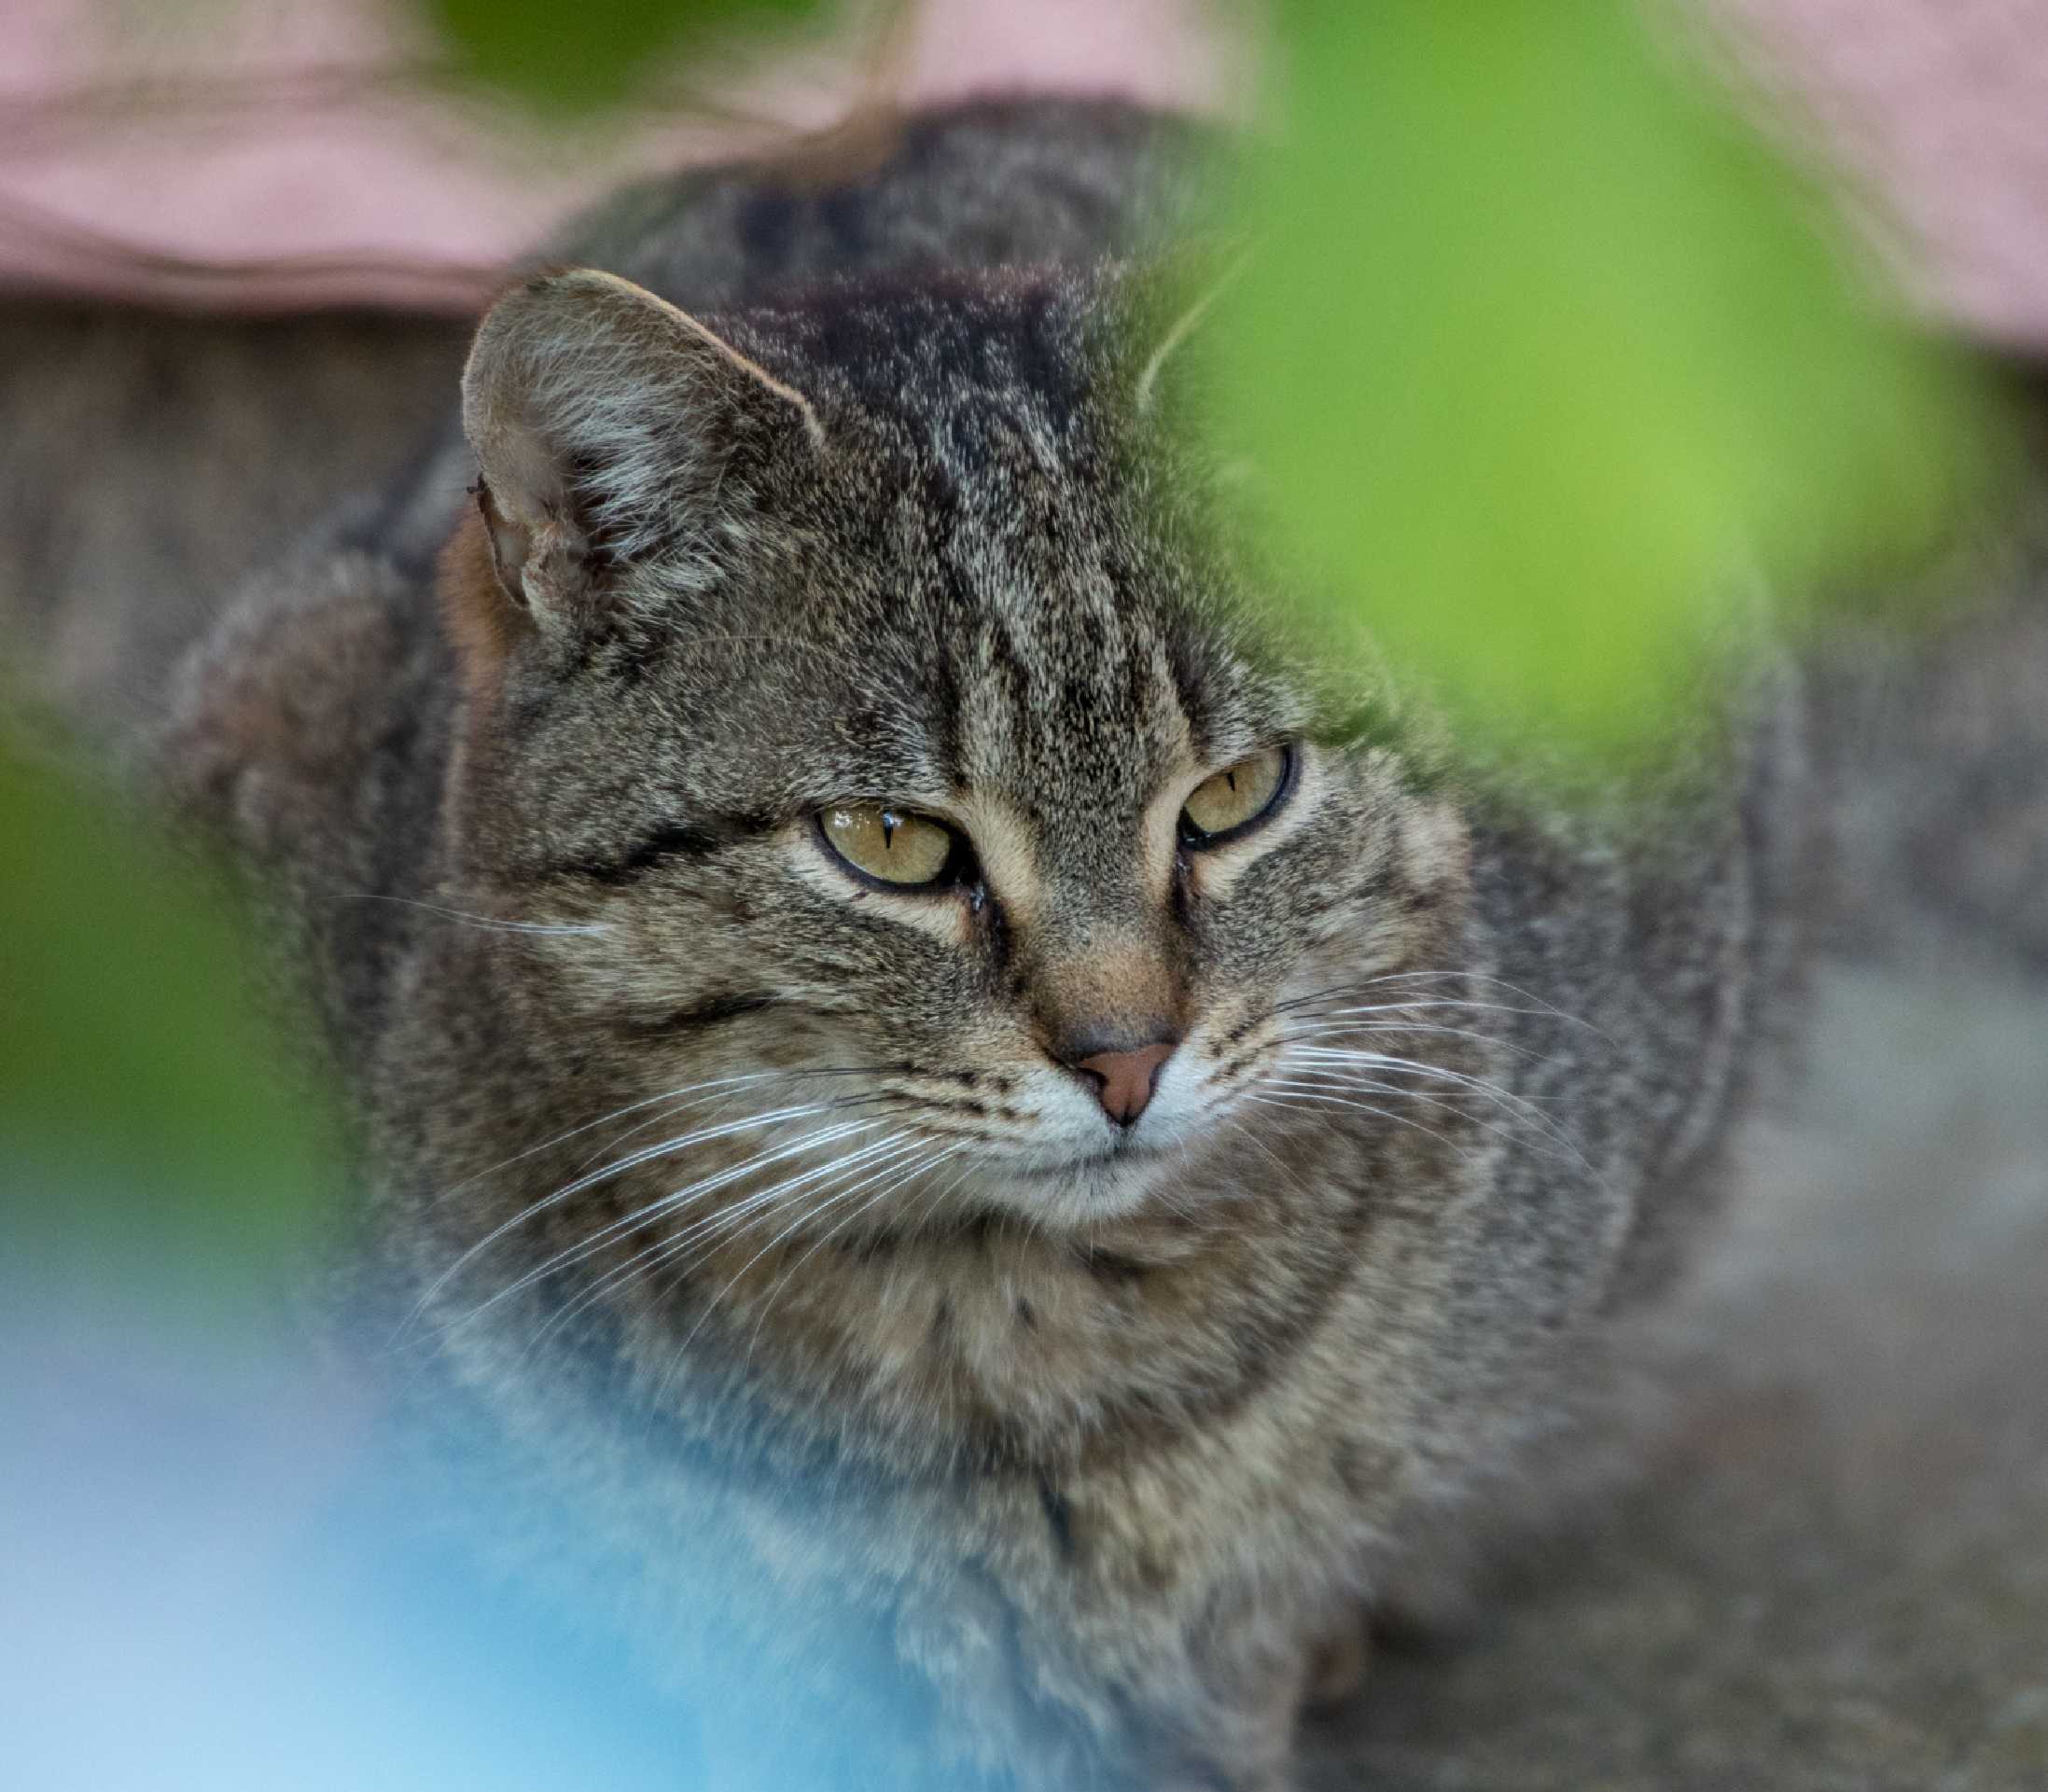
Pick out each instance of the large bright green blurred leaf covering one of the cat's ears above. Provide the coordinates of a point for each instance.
(1547, 364)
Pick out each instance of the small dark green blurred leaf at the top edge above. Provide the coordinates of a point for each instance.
(577, 58)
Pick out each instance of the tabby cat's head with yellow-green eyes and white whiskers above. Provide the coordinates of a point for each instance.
(880, 703)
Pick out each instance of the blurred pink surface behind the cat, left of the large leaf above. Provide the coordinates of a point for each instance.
(284, 159)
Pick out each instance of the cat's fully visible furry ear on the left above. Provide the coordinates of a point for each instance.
(605, 427)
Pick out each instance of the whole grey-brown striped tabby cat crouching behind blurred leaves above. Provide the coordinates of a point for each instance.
(1097, 1406)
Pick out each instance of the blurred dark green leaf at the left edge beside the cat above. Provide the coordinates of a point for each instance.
(151, 1142)
